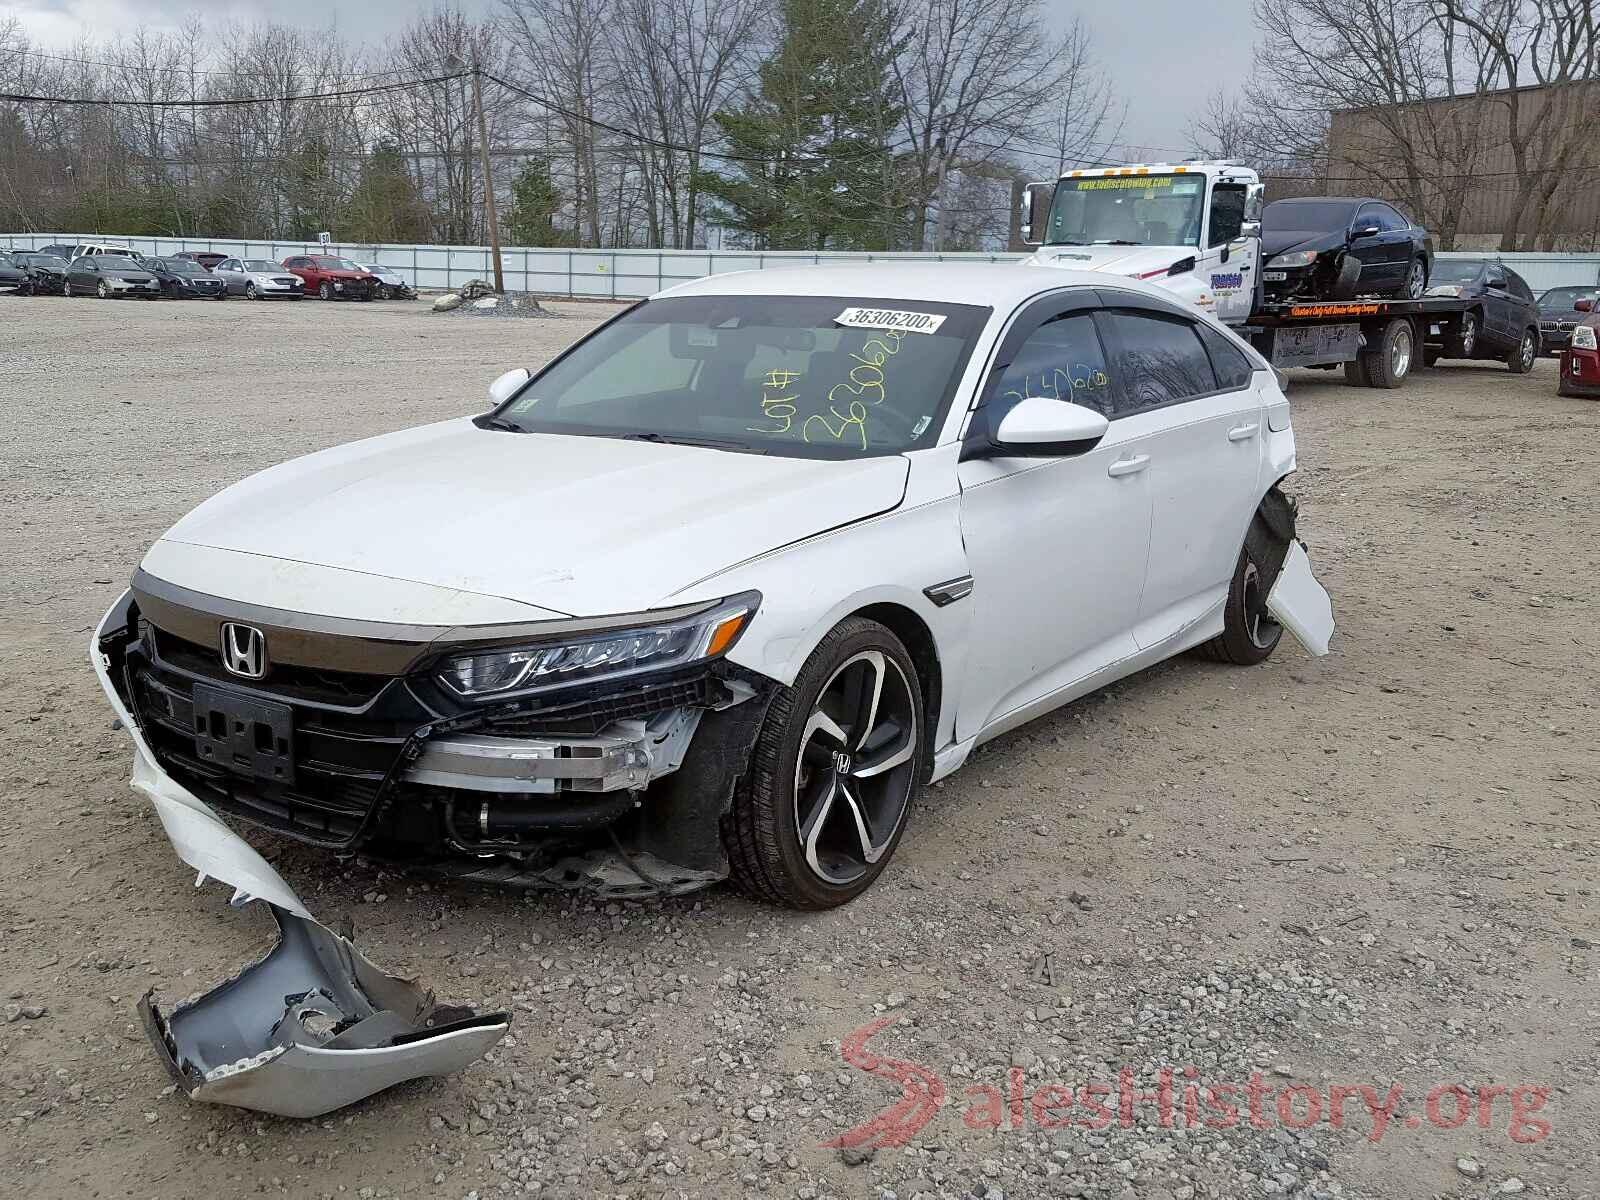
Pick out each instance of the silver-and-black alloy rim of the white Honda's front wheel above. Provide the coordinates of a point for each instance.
(857, 767)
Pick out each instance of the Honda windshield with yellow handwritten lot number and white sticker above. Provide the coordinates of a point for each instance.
(802, 377)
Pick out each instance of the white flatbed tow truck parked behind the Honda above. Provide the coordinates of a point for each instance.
(1196, 230)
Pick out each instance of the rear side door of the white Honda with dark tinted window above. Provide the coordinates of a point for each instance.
(1193, 391)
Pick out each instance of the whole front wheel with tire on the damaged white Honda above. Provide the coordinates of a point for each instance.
(836, 769)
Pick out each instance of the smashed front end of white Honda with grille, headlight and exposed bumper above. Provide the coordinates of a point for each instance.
(401, 746)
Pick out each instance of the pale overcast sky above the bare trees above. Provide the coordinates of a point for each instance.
(1150, 47)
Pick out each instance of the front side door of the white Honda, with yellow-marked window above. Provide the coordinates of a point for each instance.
(1057, 546)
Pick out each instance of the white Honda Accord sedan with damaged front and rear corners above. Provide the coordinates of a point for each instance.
(721, 588)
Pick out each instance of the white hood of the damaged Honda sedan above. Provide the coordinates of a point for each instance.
(575, 526)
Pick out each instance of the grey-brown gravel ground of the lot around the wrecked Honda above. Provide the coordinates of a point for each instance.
(1372, 870)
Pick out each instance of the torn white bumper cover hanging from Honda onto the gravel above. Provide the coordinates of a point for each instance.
(310, 1028)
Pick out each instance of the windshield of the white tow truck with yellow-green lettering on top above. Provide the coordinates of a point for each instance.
(1146, 210)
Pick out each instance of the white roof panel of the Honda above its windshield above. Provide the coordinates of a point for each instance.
(998, 286)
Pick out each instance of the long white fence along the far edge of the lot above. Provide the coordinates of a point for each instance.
(642, 273)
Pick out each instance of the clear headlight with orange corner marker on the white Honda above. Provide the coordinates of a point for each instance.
(607, 654)
